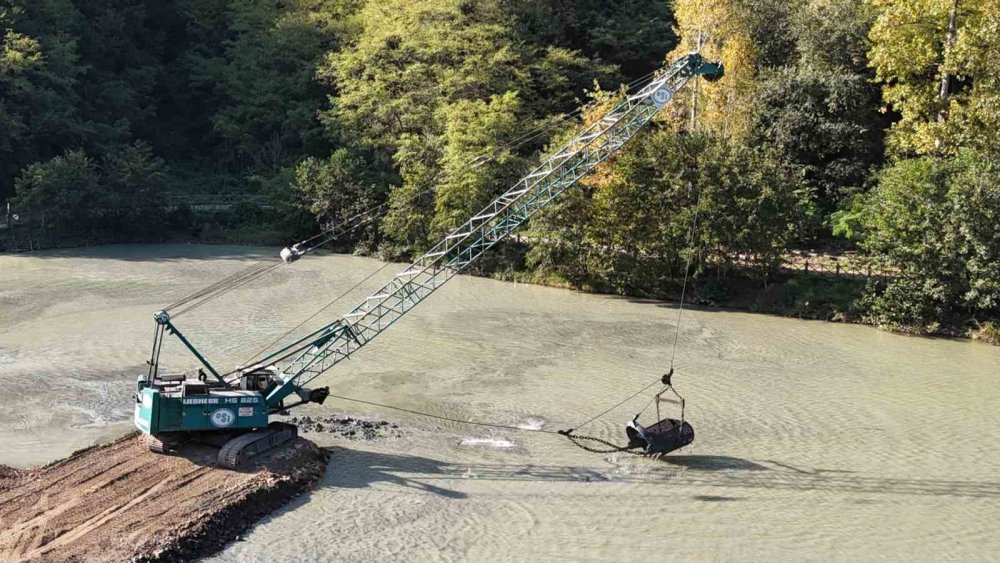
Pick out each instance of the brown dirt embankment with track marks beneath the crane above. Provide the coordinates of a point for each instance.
(120, 502)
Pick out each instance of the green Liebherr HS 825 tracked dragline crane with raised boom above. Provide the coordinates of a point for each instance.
(232, 410)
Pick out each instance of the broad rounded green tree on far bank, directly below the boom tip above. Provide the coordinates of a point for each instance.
(629, 231)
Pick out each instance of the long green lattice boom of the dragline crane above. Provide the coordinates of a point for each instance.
(499, 219)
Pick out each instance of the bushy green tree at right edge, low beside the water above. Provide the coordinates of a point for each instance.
(934, 220)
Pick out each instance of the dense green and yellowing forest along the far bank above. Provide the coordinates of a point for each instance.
(867, 127)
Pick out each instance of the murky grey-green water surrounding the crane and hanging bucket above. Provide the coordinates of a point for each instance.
(814, 440)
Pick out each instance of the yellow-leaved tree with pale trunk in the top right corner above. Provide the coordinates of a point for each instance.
(936, 60)
